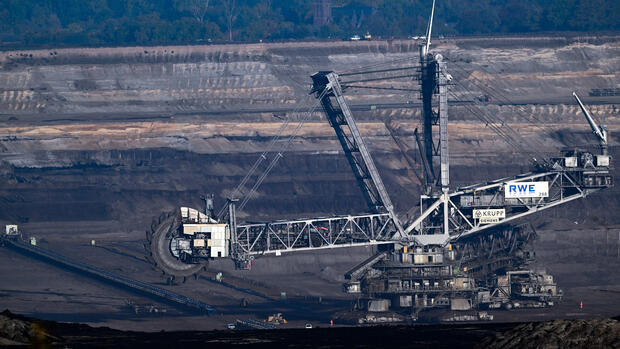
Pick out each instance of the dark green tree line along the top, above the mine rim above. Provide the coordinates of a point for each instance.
(147, 22)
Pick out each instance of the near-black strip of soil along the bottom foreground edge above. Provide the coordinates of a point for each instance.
(598, 333)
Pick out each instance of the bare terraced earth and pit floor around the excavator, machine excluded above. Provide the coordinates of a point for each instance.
(95, 143)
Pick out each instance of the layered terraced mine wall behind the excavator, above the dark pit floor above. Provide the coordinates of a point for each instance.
(101, 140)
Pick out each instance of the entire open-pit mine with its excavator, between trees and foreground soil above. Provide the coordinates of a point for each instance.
(97, 143)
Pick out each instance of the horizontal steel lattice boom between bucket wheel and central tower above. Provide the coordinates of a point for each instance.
(315, 233)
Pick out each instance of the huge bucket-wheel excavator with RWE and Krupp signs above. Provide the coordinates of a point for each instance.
(468, 246)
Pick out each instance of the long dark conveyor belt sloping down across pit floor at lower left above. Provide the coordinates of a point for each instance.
(118, 280)
